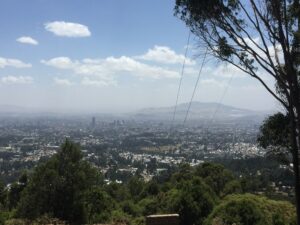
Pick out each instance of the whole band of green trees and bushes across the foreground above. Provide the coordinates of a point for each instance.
(68, 189)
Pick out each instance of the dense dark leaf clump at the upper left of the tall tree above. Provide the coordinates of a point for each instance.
(204, 18)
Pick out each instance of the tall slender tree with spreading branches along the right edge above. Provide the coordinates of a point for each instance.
(257, 37)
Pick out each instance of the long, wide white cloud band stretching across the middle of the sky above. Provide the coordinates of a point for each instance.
(101, 72)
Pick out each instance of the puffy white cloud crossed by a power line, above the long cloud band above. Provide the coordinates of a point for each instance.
(163, 54)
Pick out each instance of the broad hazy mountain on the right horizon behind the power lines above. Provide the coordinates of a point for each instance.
(200, 111)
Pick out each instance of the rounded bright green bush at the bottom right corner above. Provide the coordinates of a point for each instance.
(252, 210)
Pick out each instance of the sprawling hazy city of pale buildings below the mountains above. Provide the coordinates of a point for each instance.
(118, 146)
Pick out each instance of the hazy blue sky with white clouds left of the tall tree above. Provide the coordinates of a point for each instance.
(108, 55)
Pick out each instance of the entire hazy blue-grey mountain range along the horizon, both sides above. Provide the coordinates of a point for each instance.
(198, 111)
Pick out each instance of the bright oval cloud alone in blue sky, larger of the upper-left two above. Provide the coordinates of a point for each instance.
(67, 29)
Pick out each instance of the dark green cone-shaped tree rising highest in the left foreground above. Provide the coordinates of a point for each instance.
(58, 187)
